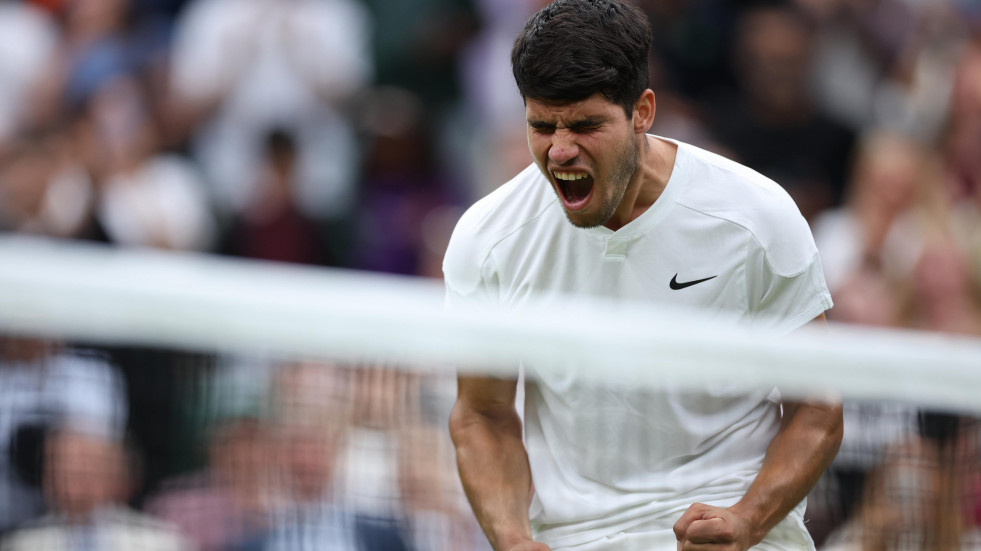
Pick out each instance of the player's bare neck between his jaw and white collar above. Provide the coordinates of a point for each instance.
(655, 162)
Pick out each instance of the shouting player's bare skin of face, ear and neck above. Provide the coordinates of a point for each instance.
(628, 168)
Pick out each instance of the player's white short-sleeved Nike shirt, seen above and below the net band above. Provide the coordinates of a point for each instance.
(606, 460)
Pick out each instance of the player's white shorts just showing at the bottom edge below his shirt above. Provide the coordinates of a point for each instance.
(789, 535)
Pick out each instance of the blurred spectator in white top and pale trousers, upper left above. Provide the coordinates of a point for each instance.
(244, 67)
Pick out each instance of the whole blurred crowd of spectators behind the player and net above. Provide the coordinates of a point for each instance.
(352, 133)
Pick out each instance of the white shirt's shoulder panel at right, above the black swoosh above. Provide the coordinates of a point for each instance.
(727, 190)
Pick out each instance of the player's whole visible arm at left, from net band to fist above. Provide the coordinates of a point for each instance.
(493, 463)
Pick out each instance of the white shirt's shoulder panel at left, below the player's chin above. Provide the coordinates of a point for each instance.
(490, 221)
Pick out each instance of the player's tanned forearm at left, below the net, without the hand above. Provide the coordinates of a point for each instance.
(494, 470)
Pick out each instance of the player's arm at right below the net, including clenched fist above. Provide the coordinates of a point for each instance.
(808, 439)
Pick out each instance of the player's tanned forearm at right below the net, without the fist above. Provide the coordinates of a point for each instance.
(802, 450)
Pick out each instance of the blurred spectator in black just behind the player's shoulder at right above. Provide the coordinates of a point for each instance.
(771, 124)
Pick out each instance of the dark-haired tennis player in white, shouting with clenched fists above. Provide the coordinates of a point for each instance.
(607, 209)
